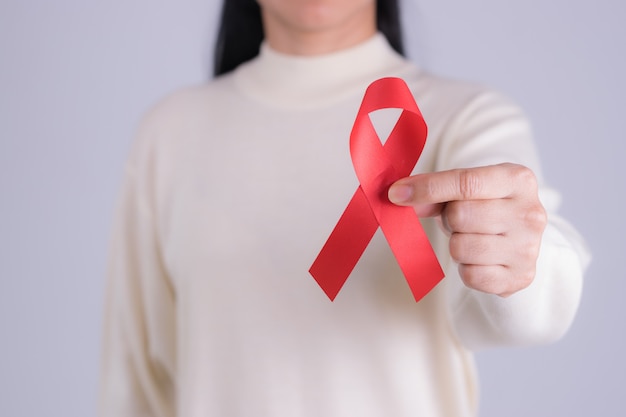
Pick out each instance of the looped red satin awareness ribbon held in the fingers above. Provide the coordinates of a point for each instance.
(377, 166)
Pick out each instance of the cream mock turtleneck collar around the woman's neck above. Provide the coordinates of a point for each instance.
(304, 82)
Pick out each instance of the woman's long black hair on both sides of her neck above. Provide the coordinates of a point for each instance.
(241, 31)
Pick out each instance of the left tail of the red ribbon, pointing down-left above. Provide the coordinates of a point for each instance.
(345, 245)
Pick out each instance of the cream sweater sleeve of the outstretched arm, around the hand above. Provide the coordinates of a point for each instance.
(490, 130)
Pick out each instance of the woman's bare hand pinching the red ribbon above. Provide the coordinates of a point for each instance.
(493, 216)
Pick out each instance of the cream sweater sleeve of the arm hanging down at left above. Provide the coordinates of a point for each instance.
(138, 356)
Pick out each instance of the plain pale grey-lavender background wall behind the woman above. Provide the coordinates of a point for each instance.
(76, 75)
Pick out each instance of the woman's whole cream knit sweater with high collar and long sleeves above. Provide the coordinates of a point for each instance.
(231, 190)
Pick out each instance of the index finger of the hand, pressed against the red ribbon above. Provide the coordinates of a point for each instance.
(482, 183)
